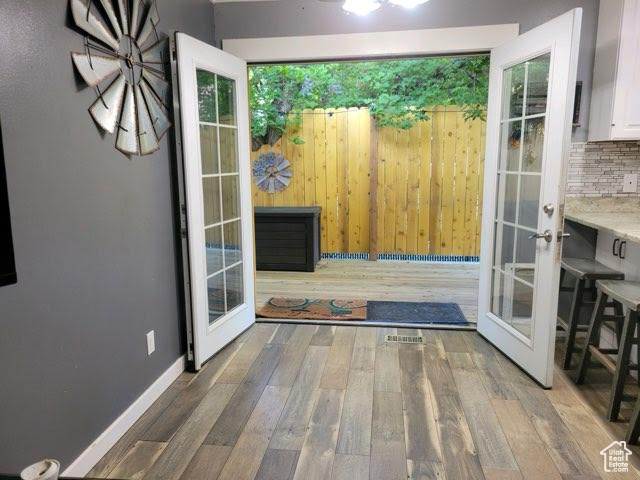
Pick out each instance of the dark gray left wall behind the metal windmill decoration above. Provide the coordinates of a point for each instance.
(94, 245)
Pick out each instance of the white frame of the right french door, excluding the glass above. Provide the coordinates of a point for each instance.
(527, 352)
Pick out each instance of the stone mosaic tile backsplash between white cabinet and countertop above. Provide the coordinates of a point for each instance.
(598, 169)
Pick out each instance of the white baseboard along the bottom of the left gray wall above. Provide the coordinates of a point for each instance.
(107, 439)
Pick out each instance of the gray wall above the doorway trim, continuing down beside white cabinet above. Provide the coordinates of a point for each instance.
(310, 17)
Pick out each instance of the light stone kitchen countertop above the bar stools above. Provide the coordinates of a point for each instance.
(621, 216)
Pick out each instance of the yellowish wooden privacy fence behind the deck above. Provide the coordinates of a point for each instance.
(427, 180)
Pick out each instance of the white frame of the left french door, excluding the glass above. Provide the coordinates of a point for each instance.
(210, 338)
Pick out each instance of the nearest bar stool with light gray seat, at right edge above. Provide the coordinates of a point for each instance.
(624, 293)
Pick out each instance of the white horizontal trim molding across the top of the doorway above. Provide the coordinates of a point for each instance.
(433, 41)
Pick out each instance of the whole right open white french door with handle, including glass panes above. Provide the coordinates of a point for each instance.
(529, 120)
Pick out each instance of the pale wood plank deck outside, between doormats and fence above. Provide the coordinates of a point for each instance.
(392, 281)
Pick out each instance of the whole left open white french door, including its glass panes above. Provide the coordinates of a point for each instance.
(214, 136)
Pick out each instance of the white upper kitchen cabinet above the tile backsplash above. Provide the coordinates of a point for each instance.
(615, 102)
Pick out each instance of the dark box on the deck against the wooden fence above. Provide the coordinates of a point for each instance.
(287, 238)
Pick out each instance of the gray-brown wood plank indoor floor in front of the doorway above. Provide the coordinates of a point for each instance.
(306, 402)
